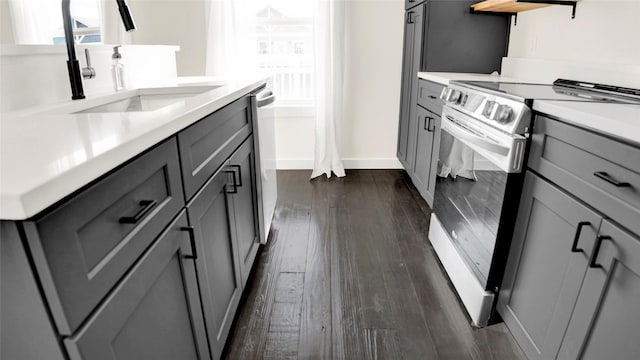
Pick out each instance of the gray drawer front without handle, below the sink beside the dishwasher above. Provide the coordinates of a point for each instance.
(208, 143)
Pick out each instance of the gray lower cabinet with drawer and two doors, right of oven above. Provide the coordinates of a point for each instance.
(571, 288)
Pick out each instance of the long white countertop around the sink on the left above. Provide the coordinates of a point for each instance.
(46, 154)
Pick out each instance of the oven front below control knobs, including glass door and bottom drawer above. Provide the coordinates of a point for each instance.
(479, 178)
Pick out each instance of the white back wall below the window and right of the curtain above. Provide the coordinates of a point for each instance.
(373, 64)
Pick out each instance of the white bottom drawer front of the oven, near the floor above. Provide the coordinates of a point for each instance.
(475, 299)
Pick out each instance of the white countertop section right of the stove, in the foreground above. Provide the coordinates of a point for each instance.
(621, 121)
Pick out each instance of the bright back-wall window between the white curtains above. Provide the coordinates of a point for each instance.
(284, 36)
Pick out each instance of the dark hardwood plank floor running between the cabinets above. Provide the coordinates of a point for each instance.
(348, 273)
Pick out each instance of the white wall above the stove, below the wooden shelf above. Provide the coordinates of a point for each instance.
(601, 44)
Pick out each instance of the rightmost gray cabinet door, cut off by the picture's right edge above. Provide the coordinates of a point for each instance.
(605, 321)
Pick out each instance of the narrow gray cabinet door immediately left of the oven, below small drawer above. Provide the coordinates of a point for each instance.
(426, 153)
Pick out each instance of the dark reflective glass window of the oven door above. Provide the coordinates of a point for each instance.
(470, 211)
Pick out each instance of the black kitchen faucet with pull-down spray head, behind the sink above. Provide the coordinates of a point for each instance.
(75, 74)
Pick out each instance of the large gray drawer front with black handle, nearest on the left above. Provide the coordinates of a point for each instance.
(82, 248)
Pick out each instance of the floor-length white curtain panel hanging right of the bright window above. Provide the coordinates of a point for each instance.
(329, 55)
